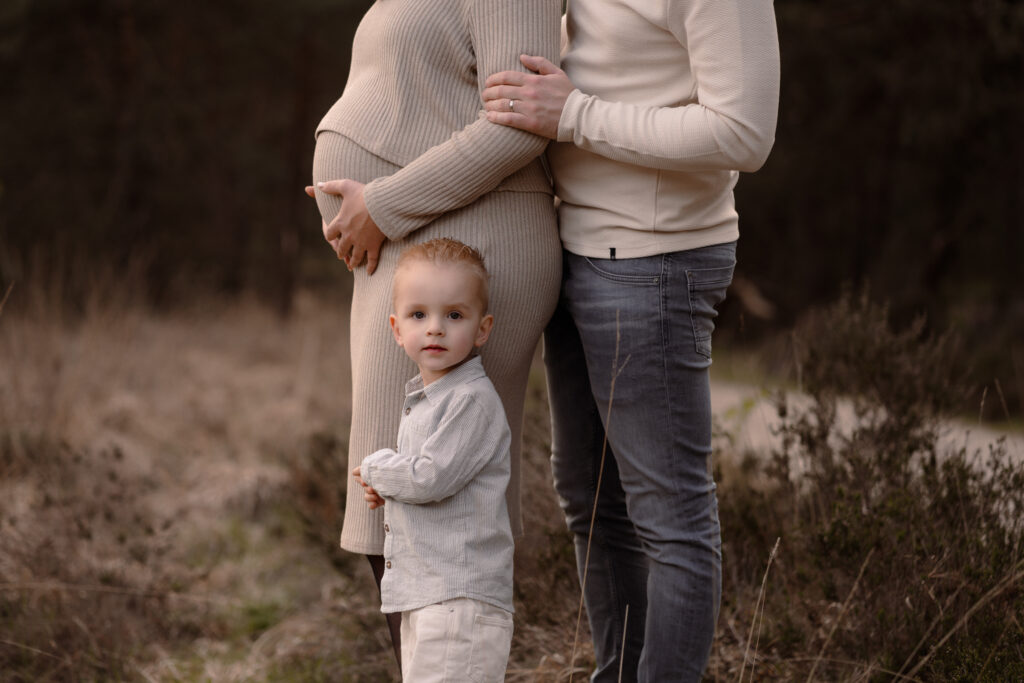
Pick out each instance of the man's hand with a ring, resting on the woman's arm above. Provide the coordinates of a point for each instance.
(529, 102)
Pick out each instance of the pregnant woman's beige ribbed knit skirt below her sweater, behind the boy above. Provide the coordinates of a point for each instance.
(518, 236)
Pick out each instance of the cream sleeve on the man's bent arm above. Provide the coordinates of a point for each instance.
(734, 53)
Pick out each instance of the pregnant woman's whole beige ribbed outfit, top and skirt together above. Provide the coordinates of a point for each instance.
(410, 125)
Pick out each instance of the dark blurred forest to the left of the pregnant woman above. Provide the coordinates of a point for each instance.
(176, 135)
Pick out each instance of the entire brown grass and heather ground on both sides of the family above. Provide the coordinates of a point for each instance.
(172, 489)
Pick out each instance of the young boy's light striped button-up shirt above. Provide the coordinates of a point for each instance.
(446, 521)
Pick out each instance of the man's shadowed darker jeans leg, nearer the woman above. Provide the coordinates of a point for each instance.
(617, 573)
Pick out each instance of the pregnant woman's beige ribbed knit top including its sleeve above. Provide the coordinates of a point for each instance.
(413, 99)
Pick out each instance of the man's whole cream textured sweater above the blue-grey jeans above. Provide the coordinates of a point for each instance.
(680, 97)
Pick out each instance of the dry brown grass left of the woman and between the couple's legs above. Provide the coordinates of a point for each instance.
(170, 497)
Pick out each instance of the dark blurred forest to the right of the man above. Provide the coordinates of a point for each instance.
(899, 165)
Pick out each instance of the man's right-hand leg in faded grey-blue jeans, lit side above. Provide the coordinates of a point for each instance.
(648, 324)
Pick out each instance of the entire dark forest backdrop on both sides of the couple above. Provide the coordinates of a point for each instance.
(166, 144)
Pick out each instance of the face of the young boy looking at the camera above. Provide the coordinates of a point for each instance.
(439, 316)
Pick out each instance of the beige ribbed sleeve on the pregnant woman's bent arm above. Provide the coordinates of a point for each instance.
(479, 157)
